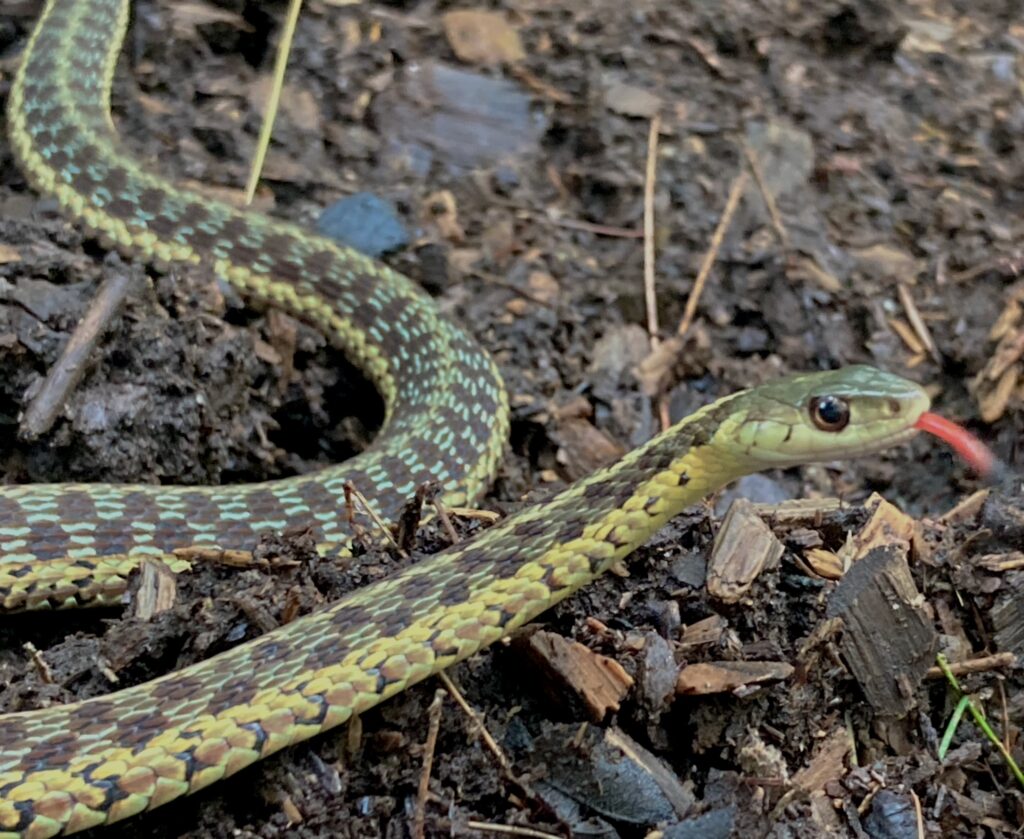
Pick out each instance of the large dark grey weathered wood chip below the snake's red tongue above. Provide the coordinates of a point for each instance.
(888, 641)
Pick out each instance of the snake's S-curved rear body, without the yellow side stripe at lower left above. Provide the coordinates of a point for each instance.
(447, 412)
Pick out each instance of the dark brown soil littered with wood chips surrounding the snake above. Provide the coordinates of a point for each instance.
(515, 149)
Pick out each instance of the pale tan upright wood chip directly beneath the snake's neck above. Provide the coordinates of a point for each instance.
(744, 548)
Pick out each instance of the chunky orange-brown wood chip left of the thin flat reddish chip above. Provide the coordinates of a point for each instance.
(596, 682)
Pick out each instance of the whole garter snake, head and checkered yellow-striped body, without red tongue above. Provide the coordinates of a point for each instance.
(68, 769)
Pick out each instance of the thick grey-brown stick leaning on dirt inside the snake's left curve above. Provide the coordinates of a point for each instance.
(67, 372)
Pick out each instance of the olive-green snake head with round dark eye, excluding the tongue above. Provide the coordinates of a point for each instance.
(827, 416)
